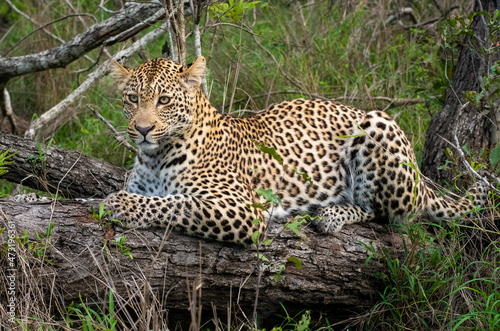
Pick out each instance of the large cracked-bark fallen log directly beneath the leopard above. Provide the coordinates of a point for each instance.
(333, 279)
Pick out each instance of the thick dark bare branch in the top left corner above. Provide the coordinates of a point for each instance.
(127, 21)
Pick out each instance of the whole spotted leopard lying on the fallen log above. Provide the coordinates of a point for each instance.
(198, 169)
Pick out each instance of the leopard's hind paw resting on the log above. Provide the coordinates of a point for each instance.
(334, 217)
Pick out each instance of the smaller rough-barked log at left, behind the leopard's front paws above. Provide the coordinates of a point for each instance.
(88, 177)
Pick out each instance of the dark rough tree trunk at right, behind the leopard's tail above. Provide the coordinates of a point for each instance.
(474, 128)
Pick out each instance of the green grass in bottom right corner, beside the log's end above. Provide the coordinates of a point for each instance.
(446, 280)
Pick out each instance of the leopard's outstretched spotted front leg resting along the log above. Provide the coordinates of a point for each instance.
(197, 216)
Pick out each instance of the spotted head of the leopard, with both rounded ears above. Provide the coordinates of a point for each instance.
(158, 99)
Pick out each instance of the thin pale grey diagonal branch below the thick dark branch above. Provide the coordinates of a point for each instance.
(46, 118)
